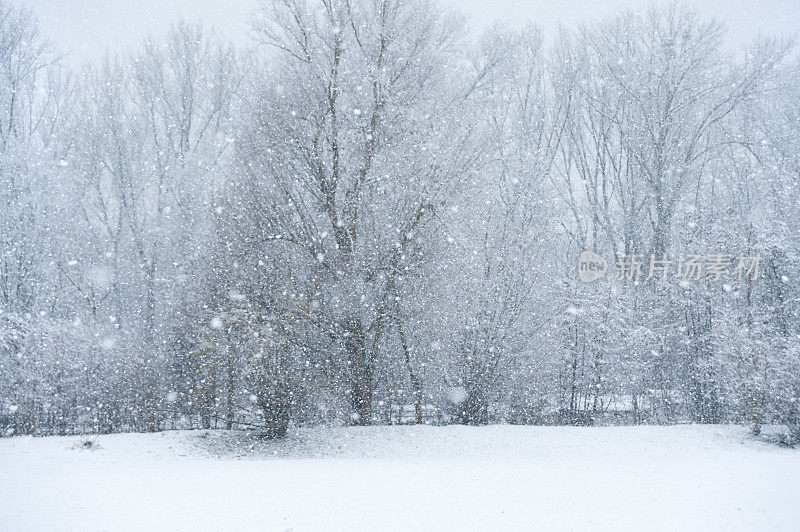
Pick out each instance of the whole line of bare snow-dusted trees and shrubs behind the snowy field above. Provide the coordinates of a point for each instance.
(373, 217)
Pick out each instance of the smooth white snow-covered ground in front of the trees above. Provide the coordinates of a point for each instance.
(404, 478)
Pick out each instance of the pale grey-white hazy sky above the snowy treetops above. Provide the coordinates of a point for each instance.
(86, 28)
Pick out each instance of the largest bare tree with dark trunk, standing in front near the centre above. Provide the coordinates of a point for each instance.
(346, 155)
